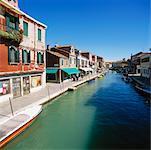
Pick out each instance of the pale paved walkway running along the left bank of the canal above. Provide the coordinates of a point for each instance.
(42, 96)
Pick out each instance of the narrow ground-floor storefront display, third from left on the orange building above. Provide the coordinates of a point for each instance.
(26, 85)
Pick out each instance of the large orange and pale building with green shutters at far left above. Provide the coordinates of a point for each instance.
(22, 52)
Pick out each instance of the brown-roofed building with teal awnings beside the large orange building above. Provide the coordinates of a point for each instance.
(61, 64)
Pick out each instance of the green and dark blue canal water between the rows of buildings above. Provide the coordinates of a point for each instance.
(105, 113)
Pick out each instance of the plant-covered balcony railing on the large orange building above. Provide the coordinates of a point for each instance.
(11, 34)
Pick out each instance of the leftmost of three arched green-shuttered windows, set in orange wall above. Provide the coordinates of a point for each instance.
(13, 55)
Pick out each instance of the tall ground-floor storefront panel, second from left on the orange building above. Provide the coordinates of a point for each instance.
(16, 87)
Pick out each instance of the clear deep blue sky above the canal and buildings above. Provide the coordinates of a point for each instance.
(110, 28)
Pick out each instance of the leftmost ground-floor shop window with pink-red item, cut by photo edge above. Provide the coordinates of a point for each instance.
(4, 87)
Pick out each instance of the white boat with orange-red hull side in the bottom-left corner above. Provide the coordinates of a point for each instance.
(13, 126)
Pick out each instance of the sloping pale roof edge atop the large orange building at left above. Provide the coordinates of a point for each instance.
(18, 11)
